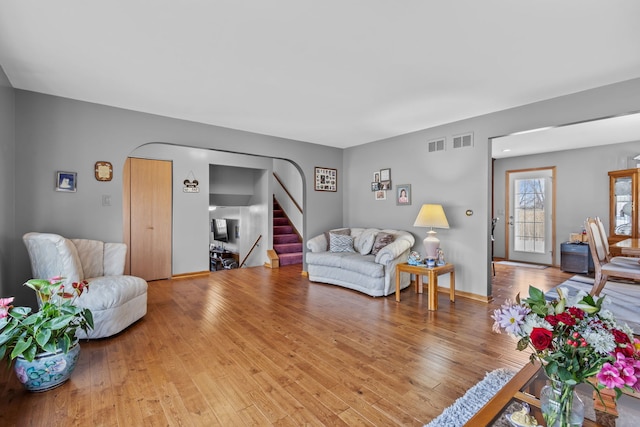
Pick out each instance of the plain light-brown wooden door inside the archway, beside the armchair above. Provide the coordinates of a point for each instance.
(148, 222)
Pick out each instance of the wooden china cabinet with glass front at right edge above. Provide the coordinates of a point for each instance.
(623, 205)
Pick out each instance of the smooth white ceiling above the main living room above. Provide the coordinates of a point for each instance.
(332, 72)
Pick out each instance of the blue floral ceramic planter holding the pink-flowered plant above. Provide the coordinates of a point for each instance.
(47, 370)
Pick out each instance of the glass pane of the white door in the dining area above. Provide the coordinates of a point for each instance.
(529, 218)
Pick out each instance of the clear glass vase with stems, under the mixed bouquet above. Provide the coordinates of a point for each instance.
(561, 406)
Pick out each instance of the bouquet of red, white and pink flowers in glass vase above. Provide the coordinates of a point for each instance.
(574, 338)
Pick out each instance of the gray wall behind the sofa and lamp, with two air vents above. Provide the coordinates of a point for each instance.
(461, 179)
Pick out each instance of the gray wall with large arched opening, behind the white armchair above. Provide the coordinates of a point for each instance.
(55, 133)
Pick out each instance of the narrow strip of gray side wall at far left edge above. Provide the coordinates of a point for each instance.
(7, 185)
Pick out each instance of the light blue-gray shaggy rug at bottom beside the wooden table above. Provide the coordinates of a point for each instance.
(473, 400)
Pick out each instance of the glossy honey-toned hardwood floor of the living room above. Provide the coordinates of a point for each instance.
(259, 346)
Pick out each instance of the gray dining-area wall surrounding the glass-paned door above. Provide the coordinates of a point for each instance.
(582, 186)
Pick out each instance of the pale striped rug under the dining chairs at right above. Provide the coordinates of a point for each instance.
(623, 298)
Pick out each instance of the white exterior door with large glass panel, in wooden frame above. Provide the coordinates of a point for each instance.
(530, 223)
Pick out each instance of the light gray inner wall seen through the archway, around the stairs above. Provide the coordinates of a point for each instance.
(191, 216)
